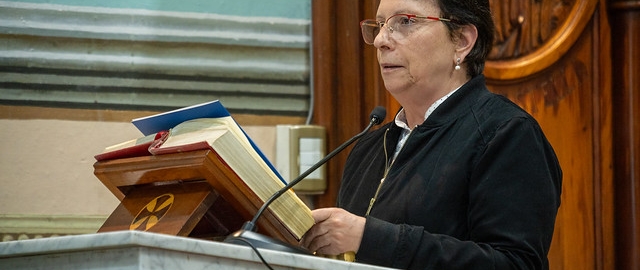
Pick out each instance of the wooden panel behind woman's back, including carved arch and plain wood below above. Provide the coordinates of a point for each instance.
(565, 84)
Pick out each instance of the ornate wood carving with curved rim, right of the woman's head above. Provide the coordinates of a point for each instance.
(534, 34)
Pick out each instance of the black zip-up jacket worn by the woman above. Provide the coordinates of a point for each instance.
(476, 186)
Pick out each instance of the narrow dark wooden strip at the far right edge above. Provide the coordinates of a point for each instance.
(625, 17)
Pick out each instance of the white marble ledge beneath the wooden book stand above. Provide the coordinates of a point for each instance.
(143, 250)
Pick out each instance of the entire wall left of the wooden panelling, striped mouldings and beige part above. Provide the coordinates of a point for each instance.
(48, 138)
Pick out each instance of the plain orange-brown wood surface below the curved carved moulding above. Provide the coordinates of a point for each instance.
(562, 99)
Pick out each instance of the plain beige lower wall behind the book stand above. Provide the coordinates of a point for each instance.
(47, 170)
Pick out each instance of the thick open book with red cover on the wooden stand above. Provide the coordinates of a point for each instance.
(224, 136)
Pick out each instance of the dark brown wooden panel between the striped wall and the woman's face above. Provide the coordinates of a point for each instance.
(345, 92)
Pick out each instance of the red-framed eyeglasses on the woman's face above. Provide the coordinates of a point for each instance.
(399, 25)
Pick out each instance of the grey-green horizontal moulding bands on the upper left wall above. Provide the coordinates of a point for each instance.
(122, 58)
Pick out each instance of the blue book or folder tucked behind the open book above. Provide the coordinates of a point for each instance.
(213, 109)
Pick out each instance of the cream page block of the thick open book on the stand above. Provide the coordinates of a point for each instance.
(225, 137)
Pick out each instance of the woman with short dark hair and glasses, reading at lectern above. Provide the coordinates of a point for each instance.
(462, 178)
